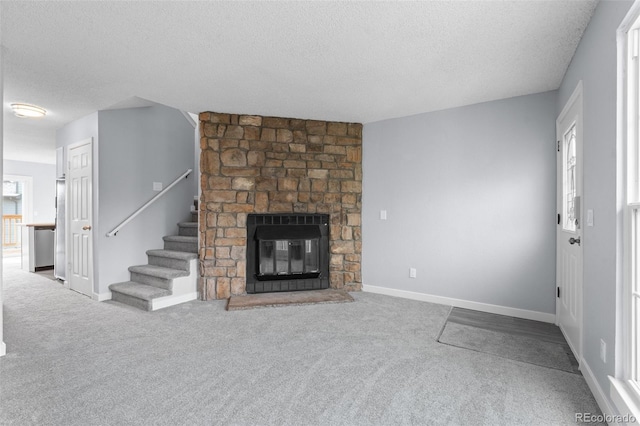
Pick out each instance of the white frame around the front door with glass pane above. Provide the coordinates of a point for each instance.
(576, 99)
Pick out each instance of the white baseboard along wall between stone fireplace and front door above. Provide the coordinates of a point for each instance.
(459, 303)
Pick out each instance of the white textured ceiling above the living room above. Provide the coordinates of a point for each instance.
(345, 61)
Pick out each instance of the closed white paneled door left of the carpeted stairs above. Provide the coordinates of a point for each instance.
(79, 217)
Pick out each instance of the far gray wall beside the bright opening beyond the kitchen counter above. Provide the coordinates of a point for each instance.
(44, 187)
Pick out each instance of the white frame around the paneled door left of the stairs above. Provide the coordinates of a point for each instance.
(68, 237)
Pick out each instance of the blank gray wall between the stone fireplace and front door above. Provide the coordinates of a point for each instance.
(470, 196)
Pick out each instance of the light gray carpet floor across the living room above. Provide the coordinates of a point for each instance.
(74, 361)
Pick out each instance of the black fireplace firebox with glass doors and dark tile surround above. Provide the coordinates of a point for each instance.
(287, 252)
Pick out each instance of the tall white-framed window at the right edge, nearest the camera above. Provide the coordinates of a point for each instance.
(625, 388)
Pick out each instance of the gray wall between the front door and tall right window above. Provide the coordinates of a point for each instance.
(595, 64)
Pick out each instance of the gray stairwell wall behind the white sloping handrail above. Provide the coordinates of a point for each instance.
(139, 146)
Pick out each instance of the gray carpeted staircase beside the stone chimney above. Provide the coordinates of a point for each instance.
(169, 278)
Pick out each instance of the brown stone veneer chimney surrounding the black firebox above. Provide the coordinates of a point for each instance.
(254, 164)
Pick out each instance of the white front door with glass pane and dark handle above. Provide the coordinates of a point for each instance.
(569, 230)
